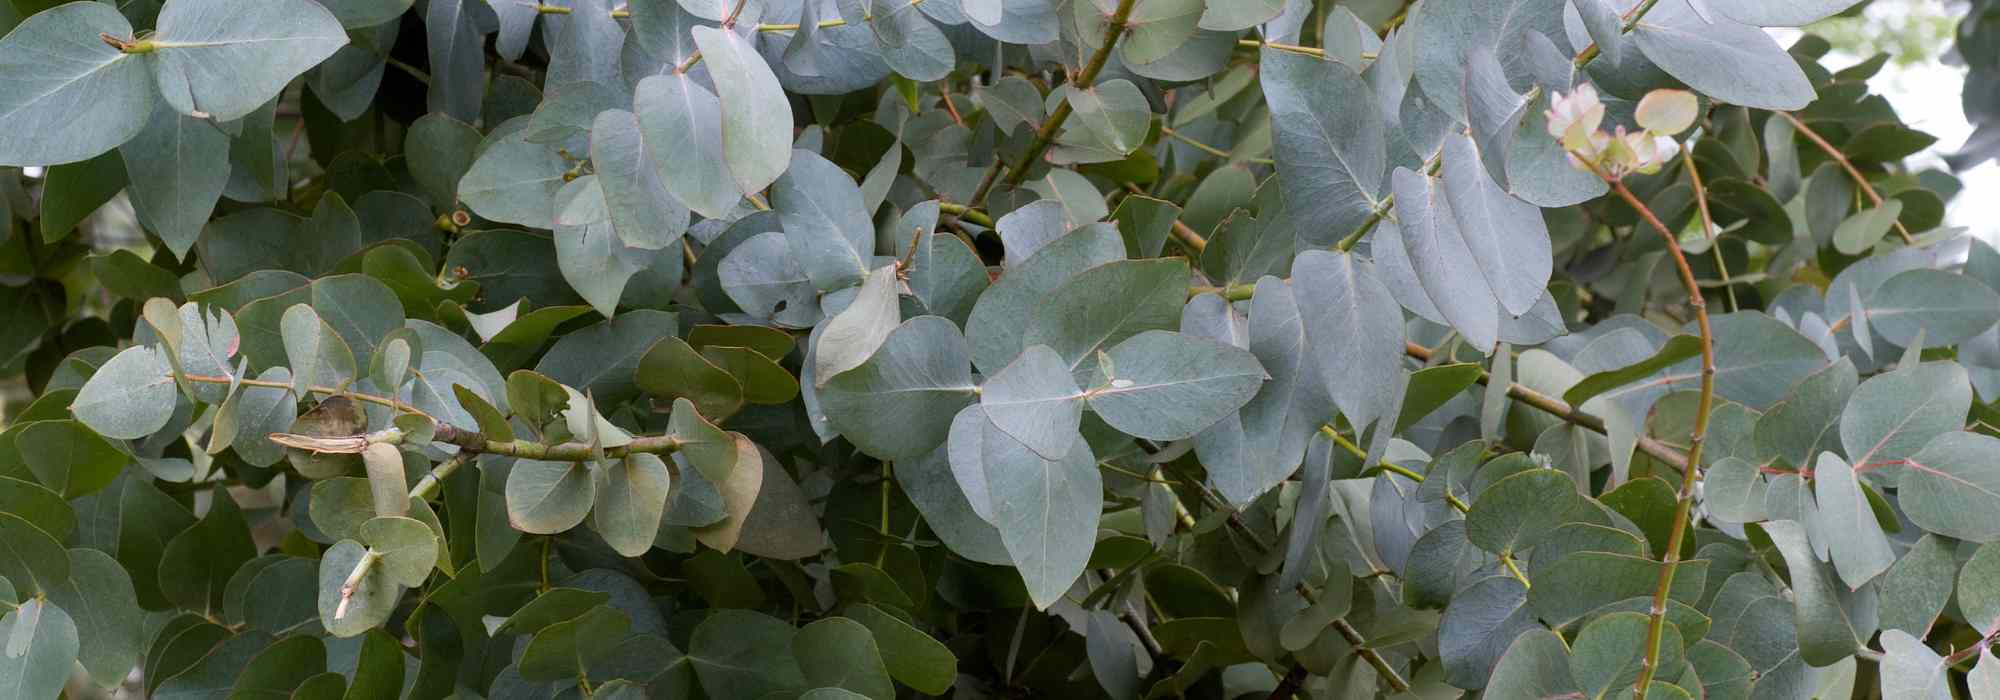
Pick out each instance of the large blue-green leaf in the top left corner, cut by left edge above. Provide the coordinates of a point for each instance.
(71, 97)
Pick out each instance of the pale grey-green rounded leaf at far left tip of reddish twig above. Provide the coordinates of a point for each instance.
(131, 397)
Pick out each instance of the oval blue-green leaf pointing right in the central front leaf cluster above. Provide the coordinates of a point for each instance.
(1169, 387)
